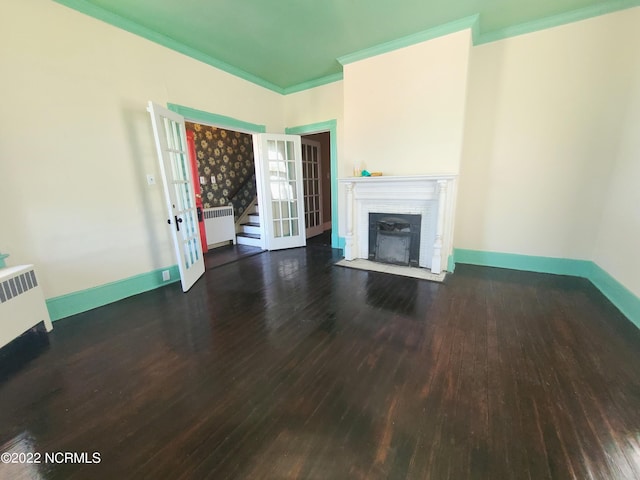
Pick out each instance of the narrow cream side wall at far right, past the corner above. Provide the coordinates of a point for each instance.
(619, 233)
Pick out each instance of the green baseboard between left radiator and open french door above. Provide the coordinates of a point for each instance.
(84, 300)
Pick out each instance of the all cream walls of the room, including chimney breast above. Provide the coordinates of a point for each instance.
(550, 131)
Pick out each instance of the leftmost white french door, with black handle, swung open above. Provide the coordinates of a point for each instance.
(171, 143)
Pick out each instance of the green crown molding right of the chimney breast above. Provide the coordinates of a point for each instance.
(556, 20)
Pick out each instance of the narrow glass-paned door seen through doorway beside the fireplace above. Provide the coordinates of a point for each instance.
(312, 178)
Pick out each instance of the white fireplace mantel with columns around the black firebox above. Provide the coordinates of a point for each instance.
(432, 196)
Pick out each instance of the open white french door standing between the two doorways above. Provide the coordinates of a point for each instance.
(279, 167)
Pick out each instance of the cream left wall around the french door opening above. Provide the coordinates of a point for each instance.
(76, 142)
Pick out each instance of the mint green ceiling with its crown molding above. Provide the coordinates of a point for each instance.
(289, 45)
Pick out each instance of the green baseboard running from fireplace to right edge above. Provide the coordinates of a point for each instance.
(625, 300)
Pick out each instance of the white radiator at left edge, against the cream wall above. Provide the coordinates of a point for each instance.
(22, 303)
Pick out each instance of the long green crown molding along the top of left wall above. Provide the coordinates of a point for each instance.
(99, 13)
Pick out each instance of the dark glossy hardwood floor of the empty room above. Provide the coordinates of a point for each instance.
(282, 365)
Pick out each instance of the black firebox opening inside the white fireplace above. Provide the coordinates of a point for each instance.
(394, 238)
